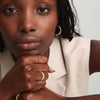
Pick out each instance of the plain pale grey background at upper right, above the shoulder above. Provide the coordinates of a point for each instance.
(89, 17)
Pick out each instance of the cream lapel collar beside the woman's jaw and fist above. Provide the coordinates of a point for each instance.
(56, 61)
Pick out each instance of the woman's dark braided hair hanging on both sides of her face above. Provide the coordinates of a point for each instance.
(67, 21)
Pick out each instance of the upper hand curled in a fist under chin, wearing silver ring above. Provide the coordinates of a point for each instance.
(25, 75)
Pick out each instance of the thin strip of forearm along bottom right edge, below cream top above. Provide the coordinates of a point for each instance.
(90, 97)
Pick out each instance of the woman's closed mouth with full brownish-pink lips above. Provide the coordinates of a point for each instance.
(28, 43)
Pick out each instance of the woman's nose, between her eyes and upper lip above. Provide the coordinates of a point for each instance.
(27, 23)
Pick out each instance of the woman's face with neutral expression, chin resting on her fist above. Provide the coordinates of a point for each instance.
(28, 26)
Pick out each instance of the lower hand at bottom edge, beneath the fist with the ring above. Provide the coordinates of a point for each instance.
(43, 94)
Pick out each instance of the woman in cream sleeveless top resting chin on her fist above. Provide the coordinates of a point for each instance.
(28, 48)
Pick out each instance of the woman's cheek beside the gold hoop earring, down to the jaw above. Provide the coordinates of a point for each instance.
(47, 32)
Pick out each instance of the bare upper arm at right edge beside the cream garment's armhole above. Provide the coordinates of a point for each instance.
(94, 64)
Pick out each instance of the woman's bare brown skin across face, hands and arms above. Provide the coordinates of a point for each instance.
(27, 28)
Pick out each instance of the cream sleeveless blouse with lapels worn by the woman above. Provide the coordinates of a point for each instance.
(69, 59)
